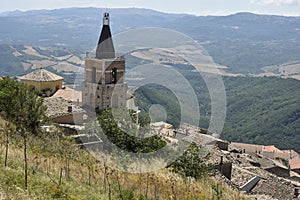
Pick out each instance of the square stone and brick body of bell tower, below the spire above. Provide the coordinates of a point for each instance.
(104, 85)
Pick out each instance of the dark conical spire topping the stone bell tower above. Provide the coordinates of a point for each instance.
(105, 48)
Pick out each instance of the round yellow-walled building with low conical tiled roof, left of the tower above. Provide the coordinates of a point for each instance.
(43, 81)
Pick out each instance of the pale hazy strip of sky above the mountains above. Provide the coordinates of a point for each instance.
(198, 7)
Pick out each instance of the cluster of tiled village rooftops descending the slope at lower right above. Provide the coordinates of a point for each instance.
(276, 170)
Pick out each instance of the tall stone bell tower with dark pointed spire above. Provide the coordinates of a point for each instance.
(104, 87)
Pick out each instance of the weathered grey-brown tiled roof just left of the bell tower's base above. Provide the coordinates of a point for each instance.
(57, 106)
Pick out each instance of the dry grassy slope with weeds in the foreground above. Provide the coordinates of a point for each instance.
(48, 155)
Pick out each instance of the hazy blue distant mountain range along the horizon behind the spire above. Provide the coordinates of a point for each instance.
(244, 42)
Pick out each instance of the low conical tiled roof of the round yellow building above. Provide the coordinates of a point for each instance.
(41, 75)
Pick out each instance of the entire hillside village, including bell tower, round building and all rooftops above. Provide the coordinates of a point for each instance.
(263, 172)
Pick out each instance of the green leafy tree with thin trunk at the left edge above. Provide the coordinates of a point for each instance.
(21, 106)
